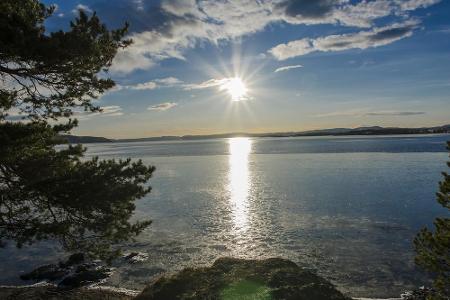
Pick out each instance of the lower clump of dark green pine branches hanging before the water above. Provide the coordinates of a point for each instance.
(47, 193)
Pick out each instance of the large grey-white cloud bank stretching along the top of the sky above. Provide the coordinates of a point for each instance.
(166, 29)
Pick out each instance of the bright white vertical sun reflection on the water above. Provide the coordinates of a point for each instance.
(239, 180)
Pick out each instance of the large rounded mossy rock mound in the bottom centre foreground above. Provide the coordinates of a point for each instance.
(238, 279)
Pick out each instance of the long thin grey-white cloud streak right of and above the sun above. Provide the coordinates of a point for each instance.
(360, 40)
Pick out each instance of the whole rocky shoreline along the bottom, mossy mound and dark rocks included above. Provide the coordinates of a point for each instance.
(227, 278)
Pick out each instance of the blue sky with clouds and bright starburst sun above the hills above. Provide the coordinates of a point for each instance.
(220, 66)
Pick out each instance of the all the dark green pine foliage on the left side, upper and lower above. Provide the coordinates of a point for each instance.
(49, 192)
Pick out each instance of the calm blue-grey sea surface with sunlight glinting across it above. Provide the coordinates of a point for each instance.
(347, 207)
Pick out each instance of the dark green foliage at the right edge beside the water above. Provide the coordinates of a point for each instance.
(433, 248)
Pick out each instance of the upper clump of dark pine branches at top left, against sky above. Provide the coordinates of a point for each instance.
(47, 75)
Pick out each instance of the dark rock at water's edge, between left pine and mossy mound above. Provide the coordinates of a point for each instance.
(85, 275)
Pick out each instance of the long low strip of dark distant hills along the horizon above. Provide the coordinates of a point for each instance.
(372, 130)
